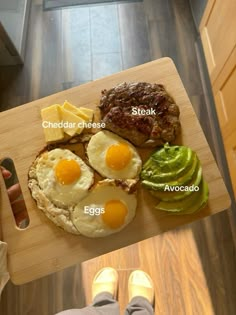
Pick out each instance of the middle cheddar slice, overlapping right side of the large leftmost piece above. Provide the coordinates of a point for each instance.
(71, 122)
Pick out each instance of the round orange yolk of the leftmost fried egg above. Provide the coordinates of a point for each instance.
(67, 171)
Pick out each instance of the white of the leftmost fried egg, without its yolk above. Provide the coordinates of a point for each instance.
(62, 195)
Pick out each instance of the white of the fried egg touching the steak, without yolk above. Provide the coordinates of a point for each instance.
(97, 149)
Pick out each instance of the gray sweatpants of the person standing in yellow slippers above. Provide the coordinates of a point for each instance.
(104, 304)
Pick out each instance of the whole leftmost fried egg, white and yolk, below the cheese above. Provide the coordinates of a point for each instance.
(63, 177)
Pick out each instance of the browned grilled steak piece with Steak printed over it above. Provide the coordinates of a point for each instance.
(160, 123)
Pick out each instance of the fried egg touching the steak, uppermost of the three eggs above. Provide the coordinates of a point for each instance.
(113, 157)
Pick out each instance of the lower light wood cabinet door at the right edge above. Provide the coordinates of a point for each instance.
(224, 90)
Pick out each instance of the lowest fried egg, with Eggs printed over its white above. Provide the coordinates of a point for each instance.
(106, 210)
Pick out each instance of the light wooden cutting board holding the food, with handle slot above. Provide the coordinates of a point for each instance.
(43, 248)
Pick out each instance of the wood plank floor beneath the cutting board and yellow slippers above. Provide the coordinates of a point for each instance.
(193, 267)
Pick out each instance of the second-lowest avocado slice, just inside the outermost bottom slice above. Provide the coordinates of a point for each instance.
(179, 195)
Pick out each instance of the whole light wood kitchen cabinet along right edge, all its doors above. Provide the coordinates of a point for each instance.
(218, 36)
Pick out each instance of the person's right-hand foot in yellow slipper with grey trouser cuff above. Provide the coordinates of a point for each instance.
(141, 294)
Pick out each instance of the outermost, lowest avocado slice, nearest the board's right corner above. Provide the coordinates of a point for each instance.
(190, 204)
